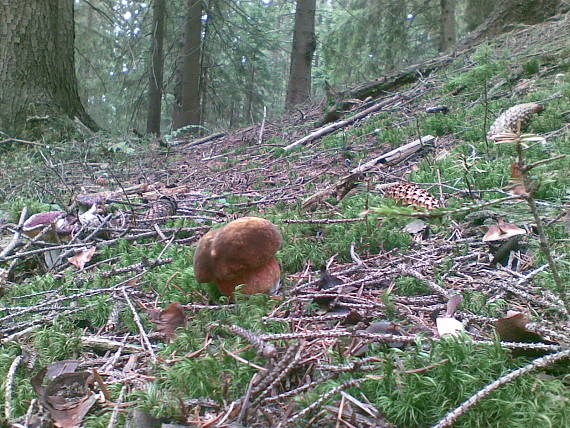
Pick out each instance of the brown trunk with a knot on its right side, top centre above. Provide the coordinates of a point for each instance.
(304, 44)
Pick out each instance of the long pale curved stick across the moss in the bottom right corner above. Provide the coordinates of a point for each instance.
(452, 416)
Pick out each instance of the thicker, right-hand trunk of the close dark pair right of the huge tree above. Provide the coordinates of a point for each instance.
(187, 112)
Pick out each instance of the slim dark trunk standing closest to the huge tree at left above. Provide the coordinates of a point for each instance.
(156, 68)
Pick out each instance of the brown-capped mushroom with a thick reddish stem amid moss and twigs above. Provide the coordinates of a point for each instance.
(241, 252)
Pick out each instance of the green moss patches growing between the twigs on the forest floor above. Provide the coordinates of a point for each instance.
(460, 367)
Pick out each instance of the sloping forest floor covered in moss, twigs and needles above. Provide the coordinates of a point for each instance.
(373, 356)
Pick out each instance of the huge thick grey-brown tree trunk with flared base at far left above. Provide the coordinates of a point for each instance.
(37, 74)
